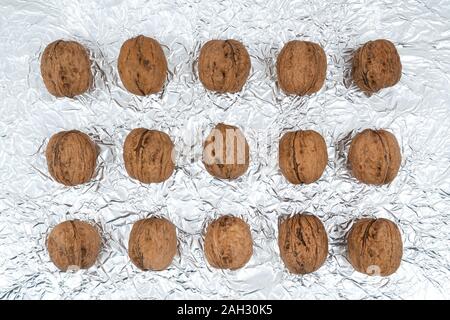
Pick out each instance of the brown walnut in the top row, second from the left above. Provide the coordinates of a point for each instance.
(142, 66)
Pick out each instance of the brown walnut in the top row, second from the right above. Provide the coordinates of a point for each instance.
(301, 67)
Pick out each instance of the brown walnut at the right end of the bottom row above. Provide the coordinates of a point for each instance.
(375, 246)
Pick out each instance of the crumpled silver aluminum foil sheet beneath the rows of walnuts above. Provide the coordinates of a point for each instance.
(416, 110)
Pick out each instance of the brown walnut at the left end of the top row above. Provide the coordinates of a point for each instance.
(66, 69)
